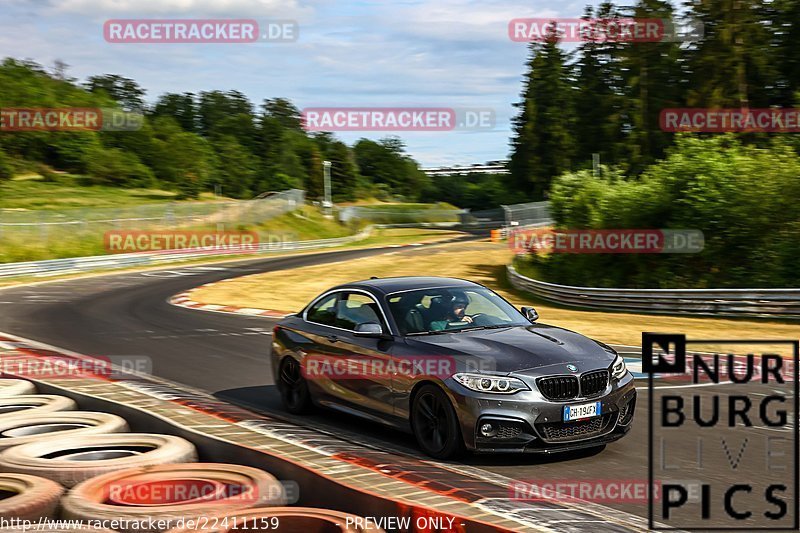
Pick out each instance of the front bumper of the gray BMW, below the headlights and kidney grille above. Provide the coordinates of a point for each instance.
(526, 422)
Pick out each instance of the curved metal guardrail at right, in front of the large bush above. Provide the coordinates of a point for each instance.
(774, 303)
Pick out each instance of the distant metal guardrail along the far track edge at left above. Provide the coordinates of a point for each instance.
(52, 267)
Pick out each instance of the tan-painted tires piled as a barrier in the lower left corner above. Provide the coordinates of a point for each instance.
(60, 463)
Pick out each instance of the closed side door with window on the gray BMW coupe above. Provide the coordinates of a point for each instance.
(366, 380)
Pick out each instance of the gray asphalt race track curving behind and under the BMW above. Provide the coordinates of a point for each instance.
(128, 314)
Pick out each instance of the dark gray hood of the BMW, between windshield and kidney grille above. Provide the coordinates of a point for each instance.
(520, 348)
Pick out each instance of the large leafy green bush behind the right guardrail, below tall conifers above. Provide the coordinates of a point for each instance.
(744, 199)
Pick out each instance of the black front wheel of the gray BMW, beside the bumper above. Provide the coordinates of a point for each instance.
(435, 424)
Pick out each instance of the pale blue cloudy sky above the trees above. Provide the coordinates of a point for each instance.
(349, 53)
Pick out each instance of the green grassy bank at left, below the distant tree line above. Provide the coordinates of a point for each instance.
(31, 200)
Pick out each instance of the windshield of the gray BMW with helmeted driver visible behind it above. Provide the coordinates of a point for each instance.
(452, 309)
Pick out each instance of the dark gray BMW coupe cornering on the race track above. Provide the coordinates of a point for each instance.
(455, 364)
